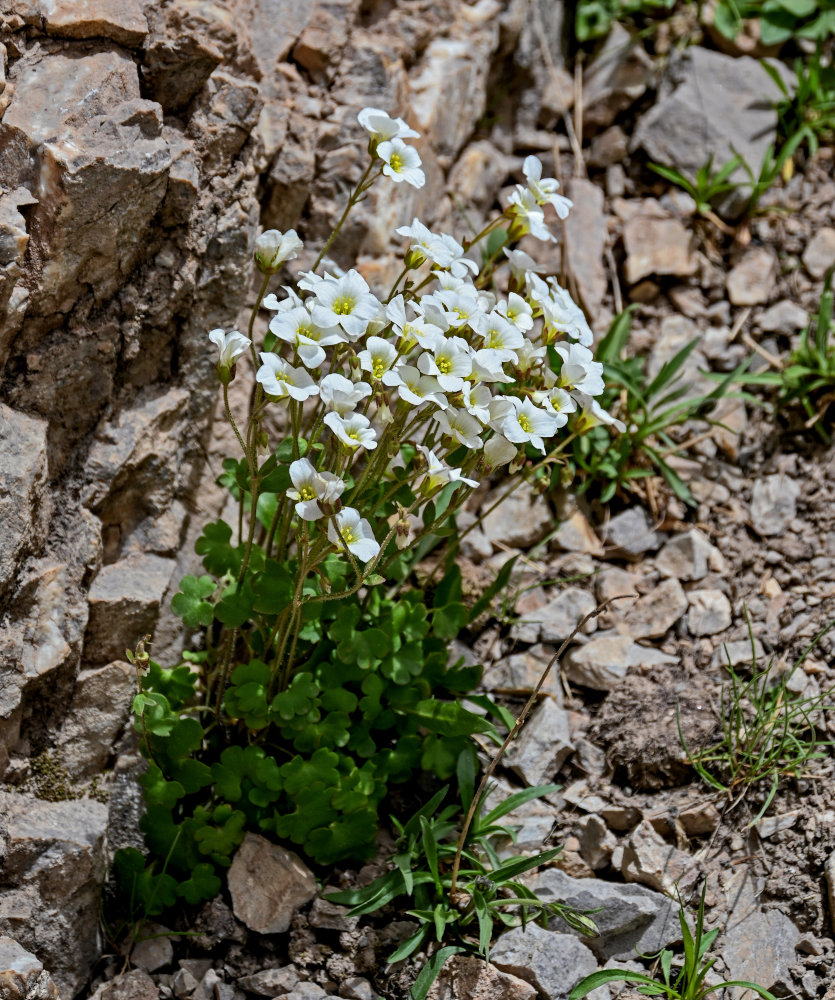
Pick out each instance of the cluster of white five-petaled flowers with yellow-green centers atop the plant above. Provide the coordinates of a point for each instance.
(443, 378)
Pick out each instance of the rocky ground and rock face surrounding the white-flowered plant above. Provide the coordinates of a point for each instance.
(141, 147)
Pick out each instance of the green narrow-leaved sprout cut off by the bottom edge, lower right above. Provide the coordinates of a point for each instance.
(689, 982)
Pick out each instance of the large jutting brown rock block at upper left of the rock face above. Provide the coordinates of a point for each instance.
(78, 128)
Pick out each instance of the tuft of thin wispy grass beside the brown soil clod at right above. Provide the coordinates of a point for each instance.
(768, 733)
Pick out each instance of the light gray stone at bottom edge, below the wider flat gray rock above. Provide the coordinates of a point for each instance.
(551, 962)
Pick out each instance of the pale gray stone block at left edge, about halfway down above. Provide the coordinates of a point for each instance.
(24, 502)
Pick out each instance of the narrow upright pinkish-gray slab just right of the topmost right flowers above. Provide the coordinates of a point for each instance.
(584, 242)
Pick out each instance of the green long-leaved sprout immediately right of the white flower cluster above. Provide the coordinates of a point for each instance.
(650, 408)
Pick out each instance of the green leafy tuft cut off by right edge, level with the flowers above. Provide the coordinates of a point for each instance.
(808, 379)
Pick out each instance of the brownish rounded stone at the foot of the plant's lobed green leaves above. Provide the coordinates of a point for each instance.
(268, 884)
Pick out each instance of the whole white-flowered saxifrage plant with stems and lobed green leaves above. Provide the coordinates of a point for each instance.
(321, 678)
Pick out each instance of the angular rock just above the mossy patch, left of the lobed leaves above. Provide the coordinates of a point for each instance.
(100, 708)
